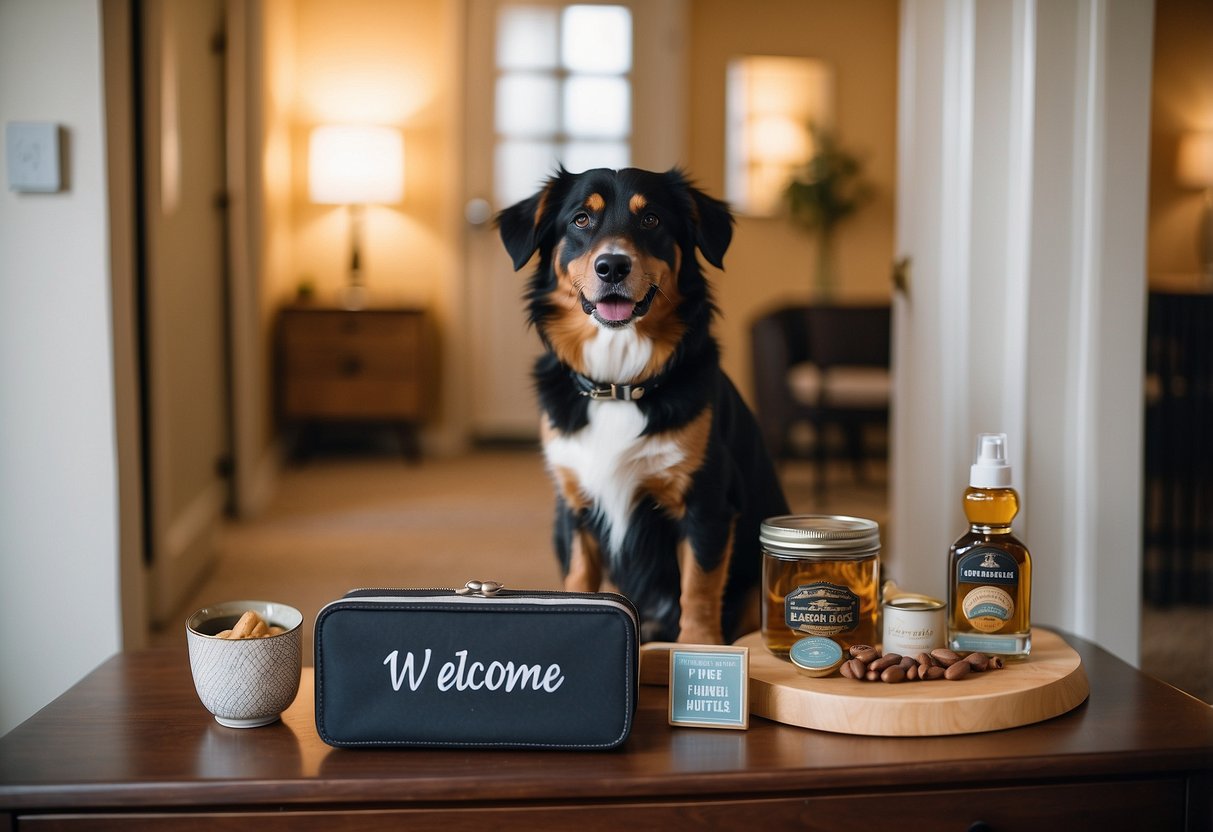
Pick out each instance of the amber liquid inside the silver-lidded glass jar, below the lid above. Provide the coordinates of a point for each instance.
(784, 577)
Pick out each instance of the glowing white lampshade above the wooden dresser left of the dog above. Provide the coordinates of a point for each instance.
(356, 166)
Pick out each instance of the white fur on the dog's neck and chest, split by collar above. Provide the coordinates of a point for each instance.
(611, 458)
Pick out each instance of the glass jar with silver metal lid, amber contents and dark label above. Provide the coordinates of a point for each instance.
(821, 577)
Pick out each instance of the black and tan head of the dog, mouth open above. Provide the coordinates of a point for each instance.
(617, 252)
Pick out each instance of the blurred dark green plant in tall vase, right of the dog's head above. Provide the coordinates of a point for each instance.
(828, 189)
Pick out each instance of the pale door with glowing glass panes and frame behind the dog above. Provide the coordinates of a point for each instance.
(544, 99)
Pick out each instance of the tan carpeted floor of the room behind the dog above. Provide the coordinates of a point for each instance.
(345, 522)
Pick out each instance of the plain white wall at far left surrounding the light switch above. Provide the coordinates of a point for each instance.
(59, 493)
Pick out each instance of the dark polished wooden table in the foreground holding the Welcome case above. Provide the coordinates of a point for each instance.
(130, 748)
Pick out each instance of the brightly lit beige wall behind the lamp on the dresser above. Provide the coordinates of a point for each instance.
(381, 62)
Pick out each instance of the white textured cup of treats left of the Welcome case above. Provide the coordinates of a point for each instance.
(246, 682)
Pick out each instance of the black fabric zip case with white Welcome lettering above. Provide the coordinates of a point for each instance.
(489, 680)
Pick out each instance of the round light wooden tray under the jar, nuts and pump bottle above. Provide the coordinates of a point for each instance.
(1049, 683)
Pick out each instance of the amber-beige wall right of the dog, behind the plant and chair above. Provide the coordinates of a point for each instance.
(771, 261)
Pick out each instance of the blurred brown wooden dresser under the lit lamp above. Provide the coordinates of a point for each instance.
(369, 367)
